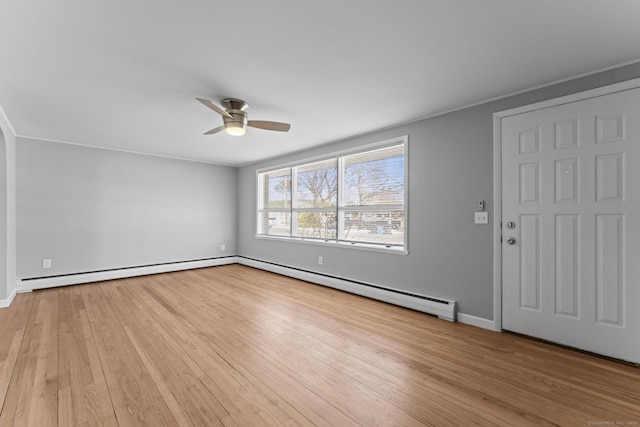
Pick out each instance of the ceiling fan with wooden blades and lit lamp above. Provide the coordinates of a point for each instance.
(235, 120)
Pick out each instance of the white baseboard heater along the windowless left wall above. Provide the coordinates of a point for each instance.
(74, 279)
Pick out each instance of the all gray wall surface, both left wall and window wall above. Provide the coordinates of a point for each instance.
(90, 209)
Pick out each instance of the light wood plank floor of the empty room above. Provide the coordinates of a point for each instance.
(236, 346)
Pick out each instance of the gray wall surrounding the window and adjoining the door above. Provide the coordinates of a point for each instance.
(450, 169)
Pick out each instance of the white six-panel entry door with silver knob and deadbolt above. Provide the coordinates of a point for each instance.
(571, 224)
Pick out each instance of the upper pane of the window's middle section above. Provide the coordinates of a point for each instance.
(317, 184)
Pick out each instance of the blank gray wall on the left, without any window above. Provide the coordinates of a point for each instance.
(90, 209)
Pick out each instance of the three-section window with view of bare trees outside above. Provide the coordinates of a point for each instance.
(355, 198)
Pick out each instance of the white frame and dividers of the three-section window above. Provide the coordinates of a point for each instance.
(336, 242)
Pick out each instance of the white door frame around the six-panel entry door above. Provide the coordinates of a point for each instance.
(497, 175)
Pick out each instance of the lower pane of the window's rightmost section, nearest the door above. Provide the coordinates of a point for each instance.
(379, 227)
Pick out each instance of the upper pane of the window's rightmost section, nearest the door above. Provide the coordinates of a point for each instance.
(374, 178)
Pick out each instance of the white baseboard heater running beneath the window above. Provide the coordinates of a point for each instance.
(443, 308)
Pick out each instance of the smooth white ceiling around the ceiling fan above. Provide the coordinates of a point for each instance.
(124, 74)
